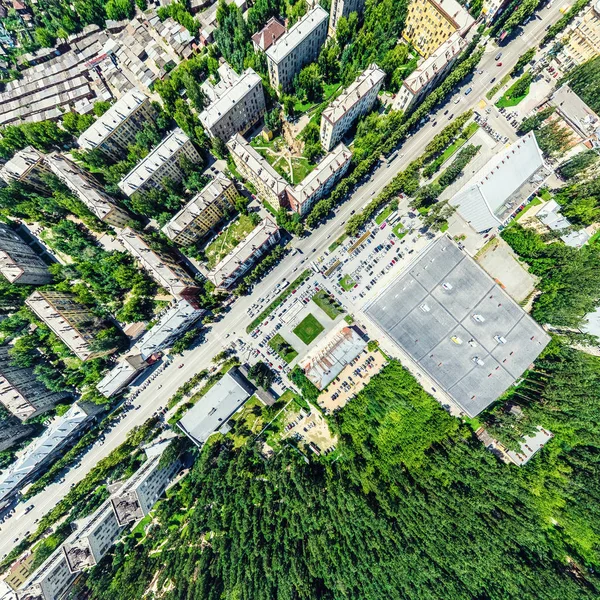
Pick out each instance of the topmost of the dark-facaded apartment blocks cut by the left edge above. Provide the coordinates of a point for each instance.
(18, 262)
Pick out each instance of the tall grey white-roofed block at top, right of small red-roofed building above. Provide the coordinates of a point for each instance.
(298, 47)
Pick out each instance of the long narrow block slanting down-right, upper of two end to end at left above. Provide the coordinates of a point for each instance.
(87, 189)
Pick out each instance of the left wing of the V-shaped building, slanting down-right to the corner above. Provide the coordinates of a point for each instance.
(269, 184)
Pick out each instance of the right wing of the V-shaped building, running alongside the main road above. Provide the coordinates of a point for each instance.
(320, 180)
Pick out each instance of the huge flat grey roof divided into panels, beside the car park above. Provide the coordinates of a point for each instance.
(447, 314)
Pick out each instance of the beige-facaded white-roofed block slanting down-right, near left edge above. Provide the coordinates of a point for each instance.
(71, 321)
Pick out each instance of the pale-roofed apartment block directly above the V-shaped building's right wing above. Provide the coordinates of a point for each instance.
(357, 100)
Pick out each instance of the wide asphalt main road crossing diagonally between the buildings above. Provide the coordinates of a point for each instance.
(235, 322)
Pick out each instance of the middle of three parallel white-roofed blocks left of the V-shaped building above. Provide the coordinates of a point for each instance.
(162, 163)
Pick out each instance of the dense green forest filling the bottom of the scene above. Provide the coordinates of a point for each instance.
(412, 507)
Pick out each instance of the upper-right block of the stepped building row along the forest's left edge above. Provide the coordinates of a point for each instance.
(141, 492)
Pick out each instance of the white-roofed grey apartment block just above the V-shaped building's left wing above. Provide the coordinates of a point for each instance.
(235, 109)
